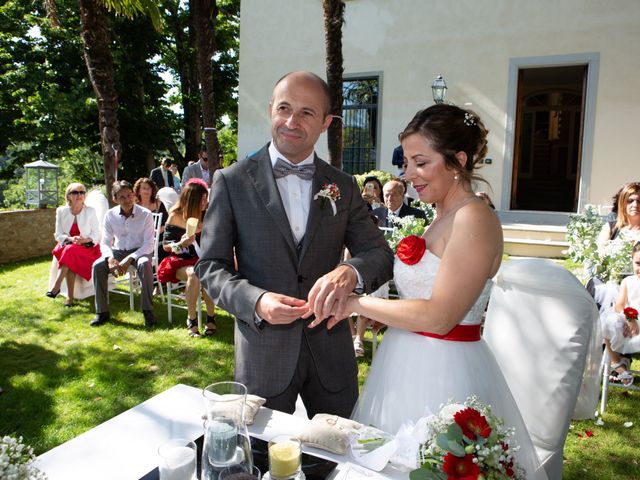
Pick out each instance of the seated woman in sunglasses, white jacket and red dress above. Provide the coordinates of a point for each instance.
(77, 231)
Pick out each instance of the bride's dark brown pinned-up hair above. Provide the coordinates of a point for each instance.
(452, 129)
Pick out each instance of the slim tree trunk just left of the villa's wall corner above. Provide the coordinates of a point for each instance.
(205, 13)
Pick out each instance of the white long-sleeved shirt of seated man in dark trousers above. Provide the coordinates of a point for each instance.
(134, 232)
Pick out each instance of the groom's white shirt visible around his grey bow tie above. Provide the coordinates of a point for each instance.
(295, 194)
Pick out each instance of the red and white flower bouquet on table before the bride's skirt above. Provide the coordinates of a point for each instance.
(466, 442)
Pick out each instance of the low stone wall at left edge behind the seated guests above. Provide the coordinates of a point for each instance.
(26, 234)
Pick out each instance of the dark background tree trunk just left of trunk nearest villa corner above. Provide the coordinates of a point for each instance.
(188, 74)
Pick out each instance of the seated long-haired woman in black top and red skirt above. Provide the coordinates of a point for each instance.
(185, 252)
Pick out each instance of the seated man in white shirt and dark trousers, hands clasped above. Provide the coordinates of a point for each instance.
(127, 238)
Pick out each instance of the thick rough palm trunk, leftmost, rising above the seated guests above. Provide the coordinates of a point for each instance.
(97, 55)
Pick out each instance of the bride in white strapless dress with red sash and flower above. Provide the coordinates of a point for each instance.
(433, 350)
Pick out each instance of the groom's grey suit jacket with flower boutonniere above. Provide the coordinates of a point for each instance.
(246, 217)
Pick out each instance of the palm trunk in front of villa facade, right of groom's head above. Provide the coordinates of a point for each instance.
(333, 20)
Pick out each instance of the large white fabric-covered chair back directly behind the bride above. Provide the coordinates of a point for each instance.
(542, 326)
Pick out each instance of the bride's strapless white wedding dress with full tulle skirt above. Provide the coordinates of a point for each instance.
(413, 375)
